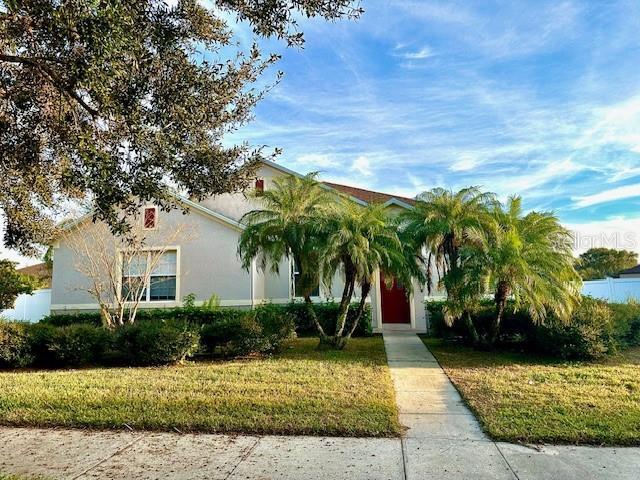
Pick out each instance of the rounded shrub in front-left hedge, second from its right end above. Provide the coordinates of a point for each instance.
(155, 343)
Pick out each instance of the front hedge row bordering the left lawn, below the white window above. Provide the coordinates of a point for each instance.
(146, 342)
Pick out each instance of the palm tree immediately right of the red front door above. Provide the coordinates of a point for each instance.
(442, 223)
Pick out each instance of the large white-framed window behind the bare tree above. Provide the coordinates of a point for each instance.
(154, 286)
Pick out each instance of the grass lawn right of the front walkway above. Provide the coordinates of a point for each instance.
(522, 398)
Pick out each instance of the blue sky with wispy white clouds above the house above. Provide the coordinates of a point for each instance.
(539, 98)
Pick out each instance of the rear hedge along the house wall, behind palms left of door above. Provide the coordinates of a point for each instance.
(327, 314)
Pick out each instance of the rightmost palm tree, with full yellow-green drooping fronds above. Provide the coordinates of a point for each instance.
(529, 258)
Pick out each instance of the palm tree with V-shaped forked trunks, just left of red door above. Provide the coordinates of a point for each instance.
(360, 242)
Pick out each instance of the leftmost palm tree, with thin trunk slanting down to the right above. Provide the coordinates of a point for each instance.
(290, 225)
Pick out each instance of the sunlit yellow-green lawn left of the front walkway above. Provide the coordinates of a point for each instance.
(301, 391)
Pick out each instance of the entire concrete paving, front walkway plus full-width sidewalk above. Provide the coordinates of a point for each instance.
(443, 440)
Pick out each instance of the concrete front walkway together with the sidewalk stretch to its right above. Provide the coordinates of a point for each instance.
(444, 440)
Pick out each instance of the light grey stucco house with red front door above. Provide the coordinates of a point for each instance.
(208, 263)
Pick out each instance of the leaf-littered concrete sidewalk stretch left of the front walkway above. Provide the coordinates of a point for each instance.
(77, 454)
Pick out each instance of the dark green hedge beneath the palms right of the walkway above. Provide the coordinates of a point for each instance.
(595, 330)
